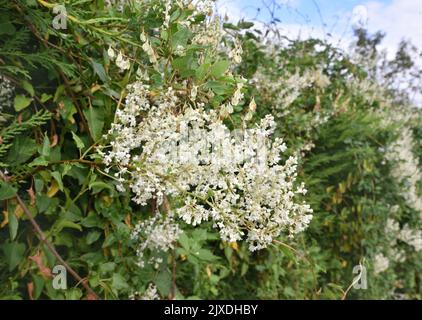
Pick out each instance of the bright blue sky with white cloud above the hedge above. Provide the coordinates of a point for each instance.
(398, 18)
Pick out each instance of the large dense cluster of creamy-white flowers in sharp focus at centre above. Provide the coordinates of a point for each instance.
(189, 153)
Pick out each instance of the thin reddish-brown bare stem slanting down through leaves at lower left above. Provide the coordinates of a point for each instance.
(49, 245)
